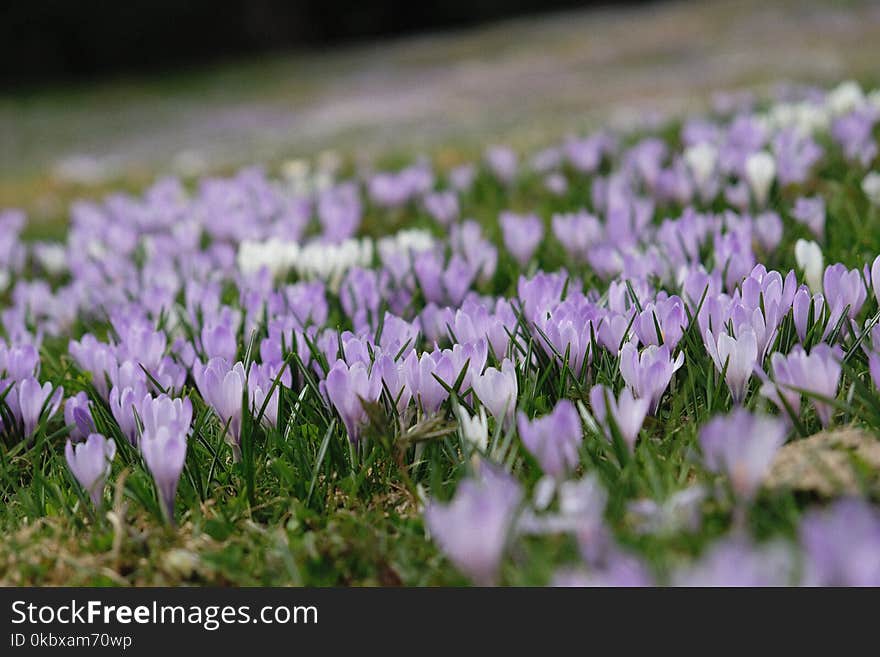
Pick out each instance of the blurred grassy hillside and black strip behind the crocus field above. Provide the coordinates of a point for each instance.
(99, 95)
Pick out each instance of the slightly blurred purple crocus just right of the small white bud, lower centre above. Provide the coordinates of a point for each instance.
(553, 439)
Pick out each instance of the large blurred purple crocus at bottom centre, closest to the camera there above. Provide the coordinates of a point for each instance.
(472, 529)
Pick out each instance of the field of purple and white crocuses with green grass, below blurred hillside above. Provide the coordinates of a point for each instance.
(630, 358)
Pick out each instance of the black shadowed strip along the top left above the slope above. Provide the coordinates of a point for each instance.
(44, 41)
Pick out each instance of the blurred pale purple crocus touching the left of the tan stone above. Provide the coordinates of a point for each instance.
(742, 446)
